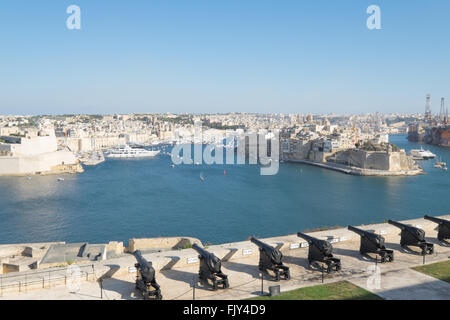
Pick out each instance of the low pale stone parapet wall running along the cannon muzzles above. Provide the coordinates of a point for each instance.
(228, 252)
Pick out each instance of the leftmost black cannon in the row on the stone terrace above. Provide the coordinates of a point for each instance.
(145, 278)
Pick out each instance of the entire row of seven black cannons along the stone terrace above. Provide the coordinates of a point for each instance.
(270, 258)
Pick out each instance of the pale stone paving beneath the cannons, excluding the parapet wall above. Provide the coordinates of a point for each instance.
(396, 280)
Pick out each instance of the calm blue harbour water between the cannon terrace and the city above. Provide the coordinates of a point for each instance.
(121, 199)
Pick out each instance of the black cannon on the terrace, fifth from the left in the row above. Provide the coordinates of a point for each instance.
(373, 243)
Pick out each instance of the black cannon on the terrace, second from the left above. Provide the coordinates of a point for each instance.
(210, 268)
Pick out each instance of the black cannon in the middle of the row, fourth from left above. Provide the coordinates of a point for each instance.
(321, 251)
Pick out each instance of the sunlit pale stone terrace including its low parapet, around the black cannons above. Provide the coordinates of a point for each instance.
(177, 270)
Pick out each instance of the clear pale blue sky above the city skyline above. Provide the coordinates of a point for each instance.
(200, 56)
